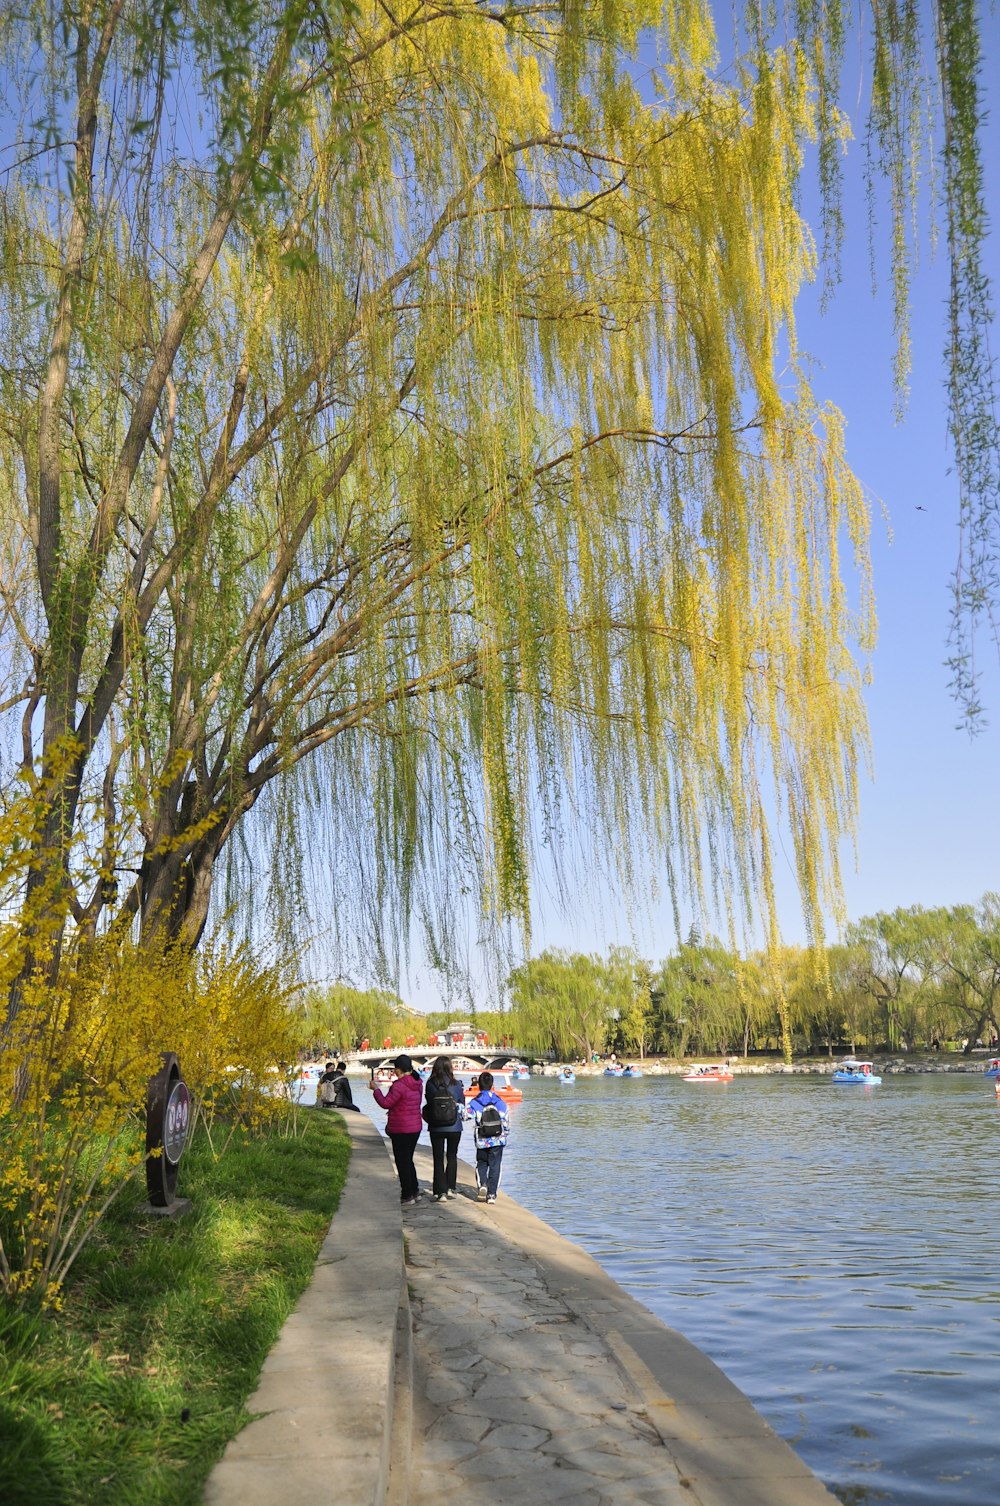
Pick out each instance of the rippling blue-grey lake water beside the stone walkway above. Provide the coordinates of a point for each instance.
(834, 1249)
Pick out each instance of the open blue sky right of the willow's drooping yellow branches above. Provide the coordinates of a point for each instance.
(930, 825)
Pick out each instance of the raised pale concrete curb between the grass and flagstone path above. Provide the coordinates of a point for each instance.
(326, 1391)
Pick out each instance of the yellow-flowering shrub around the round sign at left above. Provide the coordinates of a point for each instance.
(75, 1078)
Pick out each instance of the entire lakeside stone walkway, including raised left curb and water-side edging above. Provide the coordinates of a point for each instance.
(462, 1347)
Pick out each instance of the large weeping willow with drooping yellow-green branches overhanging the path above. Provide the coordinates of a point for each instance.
(406, 439)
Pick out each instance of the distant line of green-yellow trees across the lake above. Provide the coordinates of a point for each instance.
(901, 981)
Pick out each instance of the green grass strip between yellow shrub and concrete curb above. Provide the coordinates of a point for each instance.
(130, 1395)
